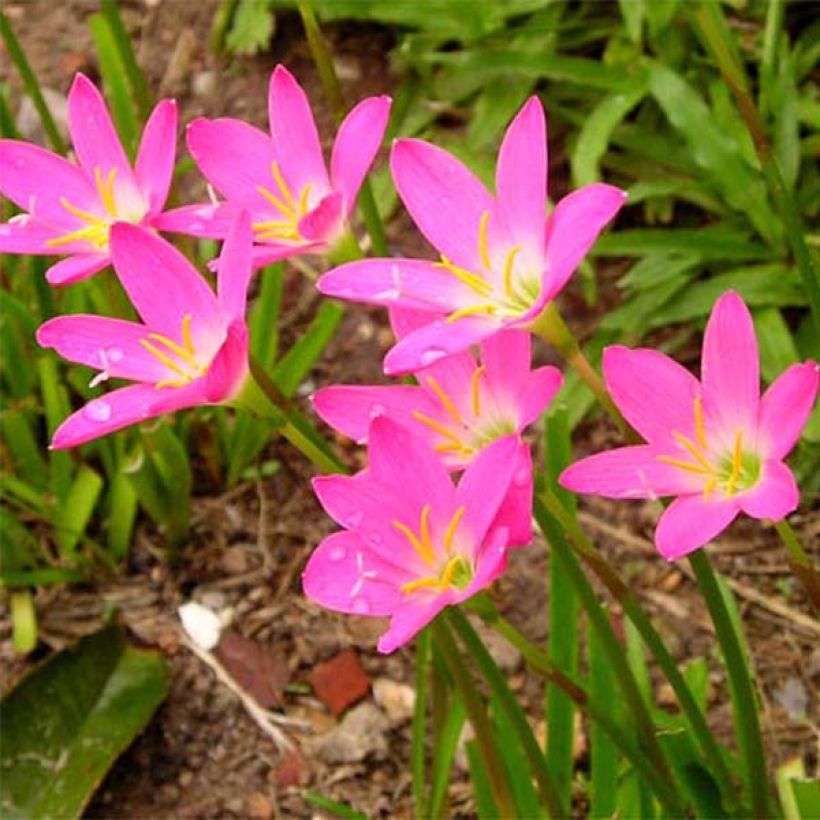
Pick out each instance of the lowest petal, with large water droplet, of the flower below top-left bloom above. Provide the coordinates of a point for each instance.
(117, 409)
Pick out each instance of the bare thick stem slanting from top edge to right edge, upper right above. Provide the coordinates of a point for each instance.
(710, 26)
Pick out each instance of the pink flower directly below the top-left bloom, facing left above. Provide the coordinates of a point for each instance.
(191, 349)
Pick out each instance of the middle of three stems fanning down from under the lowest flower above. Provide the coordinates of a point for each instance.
(529, 745)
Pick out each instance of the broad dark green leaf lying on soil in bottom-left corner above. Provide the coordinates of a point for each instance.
(66, 723)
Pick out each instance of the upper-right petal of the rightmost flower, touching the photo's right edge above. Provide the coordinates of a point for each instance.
(785, 409)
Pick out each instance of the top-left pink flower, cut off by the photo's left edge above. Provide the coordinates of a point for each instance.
(71, 208)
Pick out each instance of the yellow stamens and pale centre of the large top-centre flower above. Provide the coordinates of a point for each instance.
(510, 292)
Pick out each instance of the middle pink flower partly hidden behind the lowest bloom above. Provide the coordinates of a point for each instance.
(460, 407)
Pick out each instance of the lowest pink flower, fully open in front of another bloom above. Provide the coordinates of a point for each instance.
(413, 541)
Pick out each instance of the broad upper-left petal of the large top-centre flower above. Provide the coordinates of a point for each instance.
(445, 200)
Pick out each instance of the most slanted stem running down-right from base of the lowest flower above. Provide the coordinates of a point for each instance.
(542, 665)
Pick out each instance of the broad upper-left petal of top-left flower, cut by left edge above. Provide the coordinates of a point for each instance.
(36, 181)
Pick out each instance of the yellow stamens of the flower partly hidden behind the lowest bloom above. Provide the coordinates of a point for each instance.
(467, 436)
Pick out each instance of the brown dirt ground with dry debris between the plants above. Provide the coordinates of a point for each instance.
(204, 755)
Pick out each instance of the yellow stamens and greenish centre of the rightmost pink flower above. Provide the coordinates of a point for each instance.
(732, 471)
